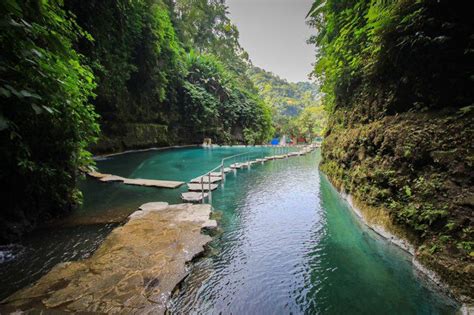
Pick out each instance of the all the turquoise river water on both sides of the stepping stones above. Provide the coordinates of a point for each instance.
(289, 243)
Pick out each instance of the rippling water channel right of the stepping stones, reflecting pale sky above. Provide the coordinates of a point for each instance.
(290, 245)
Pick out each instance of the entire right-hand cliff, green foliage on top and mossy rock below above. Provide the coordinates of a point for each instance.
(397, 82)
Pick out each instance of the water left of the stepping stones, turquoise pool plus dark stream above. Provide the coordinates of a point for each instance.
(106, 205)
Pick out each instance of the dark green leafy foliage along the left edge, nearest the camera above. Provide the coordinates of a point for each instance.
(46, 120)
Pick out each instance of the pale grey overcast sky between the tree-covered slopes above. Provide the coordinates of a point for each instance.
(274, 33)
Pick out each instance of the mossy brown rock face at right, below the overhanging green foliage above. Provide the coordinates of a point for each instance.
(415, 170)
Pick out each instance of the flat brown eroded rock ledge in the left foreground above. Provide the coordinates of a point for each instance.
(133, 271)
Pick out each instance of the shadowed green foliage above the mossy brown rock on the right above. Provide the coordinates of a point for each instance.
(415, 54)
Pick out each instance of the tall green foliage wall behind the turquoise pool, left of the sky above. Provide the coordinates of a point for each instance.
(145, 74)
